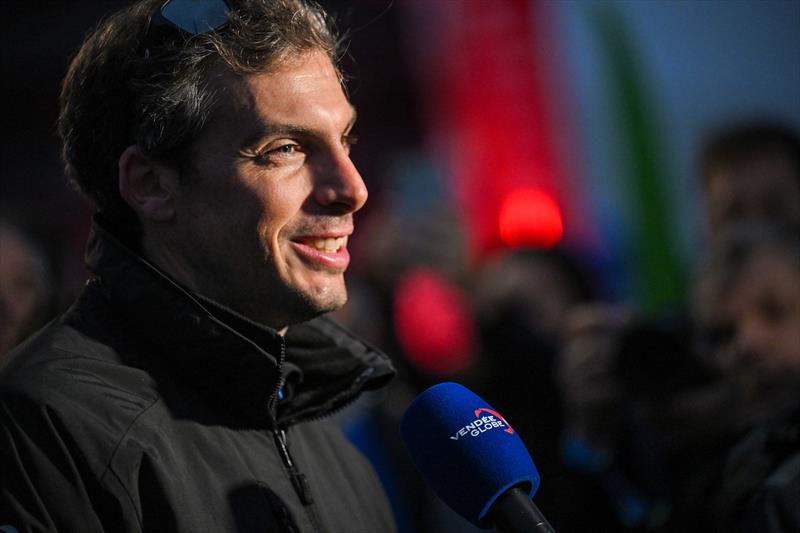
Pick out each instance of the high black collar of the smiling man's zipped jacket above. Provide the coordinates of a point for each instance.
(227, 358)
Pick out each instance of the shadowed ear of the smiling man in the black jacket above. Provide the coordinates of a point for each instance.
(147, 186)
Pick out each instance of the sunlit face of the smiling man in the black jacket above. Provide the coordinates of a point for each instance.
(265, 209)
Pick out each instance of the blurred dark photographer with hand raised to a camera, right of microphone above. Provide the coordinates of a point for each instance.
(647, 420)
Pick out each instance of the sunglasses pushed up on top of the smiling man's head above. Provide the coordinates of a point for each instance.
(188, 17)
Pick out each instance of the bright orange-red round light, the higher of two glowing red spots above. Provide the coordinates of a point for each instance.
(530, 217)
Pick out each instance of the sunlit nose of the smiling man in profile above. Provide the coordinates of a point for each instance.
(340, 184)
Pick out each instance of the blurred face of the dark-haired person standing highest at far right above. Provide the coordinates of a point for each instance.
(765, 187)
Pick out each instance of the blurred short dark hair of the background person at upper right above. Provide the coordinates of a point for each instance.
(746, 140)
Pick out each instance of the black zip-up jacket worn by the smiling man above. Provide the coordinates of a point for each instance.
(146, 408)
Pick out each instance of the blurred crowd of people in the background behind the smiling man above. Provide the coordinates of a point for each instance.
(688, 420)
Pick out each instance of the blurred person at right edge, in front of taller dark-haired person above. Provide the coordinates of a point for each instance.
(748, 302)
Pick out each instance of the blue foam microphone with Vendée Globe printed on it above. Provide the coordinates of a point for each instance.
(473, 459)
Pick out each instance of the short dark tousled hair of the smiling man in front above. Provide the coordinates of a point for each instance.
(115, 94)
